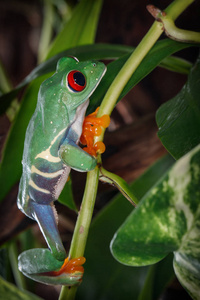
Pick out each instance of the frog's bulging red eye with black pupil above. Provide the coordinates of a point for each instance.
(76, 81)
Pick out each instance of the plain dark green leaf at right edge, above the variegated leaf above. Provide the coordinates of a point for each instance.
(179, 119)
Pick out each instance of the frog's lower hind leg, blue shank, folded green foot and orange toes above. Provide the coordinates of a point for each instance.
(43, 265)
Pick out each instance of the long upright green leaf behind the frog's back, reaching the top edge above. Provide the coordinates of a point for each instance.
(10, 168)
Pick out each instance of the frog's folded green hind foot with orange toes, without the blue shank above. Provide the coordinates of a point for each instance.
(40, 265)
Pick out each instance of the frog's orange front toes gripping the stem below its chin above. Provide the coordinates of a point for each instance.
(92, 126)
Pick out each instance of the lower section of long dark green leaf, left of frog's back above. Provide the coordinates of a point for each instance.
(10, 167)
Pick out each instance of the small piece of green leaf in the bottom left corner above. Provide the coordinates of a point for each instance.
(9, 291)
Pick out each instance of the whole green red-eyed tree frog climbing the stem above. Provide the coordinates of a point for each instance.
(50, 151)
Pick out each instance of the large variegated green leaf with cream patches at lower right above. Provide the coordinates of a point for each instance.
(167, 220)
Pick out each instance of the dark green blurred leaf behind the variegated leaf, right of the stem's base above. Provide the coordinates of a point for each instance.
(107, 278)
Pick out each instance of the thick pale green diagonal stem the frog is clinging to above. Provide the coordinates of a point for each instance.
(84, 219)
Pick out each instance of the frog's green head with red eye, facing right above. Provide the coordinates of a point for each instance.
(79, 80)
